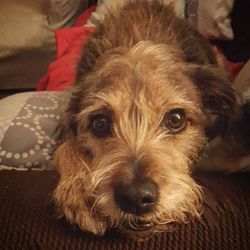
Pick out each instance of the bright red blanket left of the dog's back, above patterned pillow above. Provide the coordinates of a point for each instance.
(69, 43)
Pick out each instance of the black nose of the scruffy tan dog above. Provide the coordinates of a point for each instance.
(137, 197)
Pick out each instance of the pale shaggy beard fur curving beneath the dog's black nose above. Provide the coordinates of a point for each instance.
(178, 206)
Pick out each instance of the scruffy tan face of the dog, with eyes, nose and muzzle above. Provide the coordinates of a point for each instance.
(139, 127)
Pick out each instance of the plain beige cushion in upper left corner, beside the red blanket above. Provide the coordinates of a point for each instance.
(27, 40)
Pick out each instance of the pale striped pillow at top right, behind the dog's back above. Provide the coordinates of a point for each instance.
(214, 19)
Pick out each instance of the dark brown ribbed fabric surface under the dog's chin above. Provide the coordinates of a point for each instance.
(28, 220)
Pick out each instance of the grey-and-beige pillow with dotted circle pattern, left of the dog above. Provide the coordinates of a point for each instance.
(30, 129)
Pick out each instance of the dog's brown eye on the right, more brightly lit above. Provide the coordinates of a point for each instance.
(175, 120)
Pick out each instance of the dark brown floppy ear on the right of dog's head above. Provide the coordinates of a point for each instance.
(218, 97)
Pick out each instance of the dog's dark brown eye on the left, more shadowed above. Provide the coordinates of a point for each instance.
(100, 125)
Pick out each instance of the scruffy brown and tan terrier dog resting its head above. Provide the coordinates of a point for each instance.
(149, 96)
